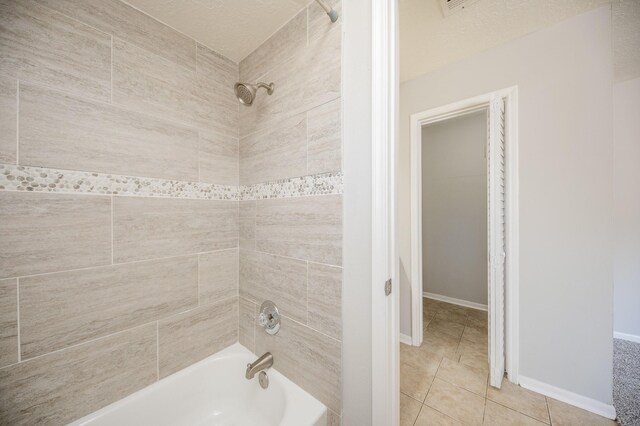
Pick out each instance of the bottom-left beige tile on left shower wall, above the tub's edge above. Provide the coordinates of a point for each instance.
(66, 385)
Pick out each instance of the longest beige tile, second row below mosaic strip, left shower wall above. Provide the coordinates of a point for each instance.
(67, 308)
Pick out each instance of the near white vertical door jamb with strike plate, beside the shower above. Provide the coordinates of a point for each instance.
(385, 309)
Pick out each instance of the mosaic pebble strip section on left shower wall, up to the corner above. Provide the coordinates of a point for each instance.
(38, 179)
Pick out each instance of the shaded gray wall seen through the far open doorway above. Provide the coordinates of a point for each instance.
(454, 208)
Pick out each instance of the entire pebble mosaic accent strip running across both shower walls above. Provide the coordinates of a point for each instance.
(40, 179)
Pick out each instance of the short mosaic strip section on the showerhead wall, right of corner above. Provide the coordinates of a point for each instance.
(320, 184)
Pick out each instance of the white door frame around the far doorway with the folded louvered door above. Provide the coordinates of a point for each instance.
(418, 120)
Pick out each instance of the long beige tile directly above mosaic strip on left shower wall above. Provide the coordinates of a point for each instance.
(60, 131)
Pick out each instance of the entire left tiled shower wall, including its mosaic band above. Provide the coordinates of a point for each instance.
(118, 205)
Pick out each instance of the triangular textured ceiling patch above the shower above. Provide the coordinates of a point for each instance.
(233, 28)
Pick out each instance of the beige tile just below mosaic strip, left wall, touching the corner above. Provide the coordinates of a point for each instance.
(146, 228)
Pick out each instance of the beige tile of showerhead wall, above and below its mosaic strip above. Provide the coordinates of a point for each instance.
(291, 246)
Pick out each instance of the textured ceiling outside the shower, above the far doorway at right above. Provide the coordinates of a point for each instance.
(429, 41)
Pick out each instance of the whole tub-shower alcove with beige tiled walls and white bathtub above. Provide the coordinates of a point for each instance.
(165, 198)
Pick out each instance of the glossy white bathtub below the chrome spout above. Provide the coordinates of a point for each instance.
(214, 391)
